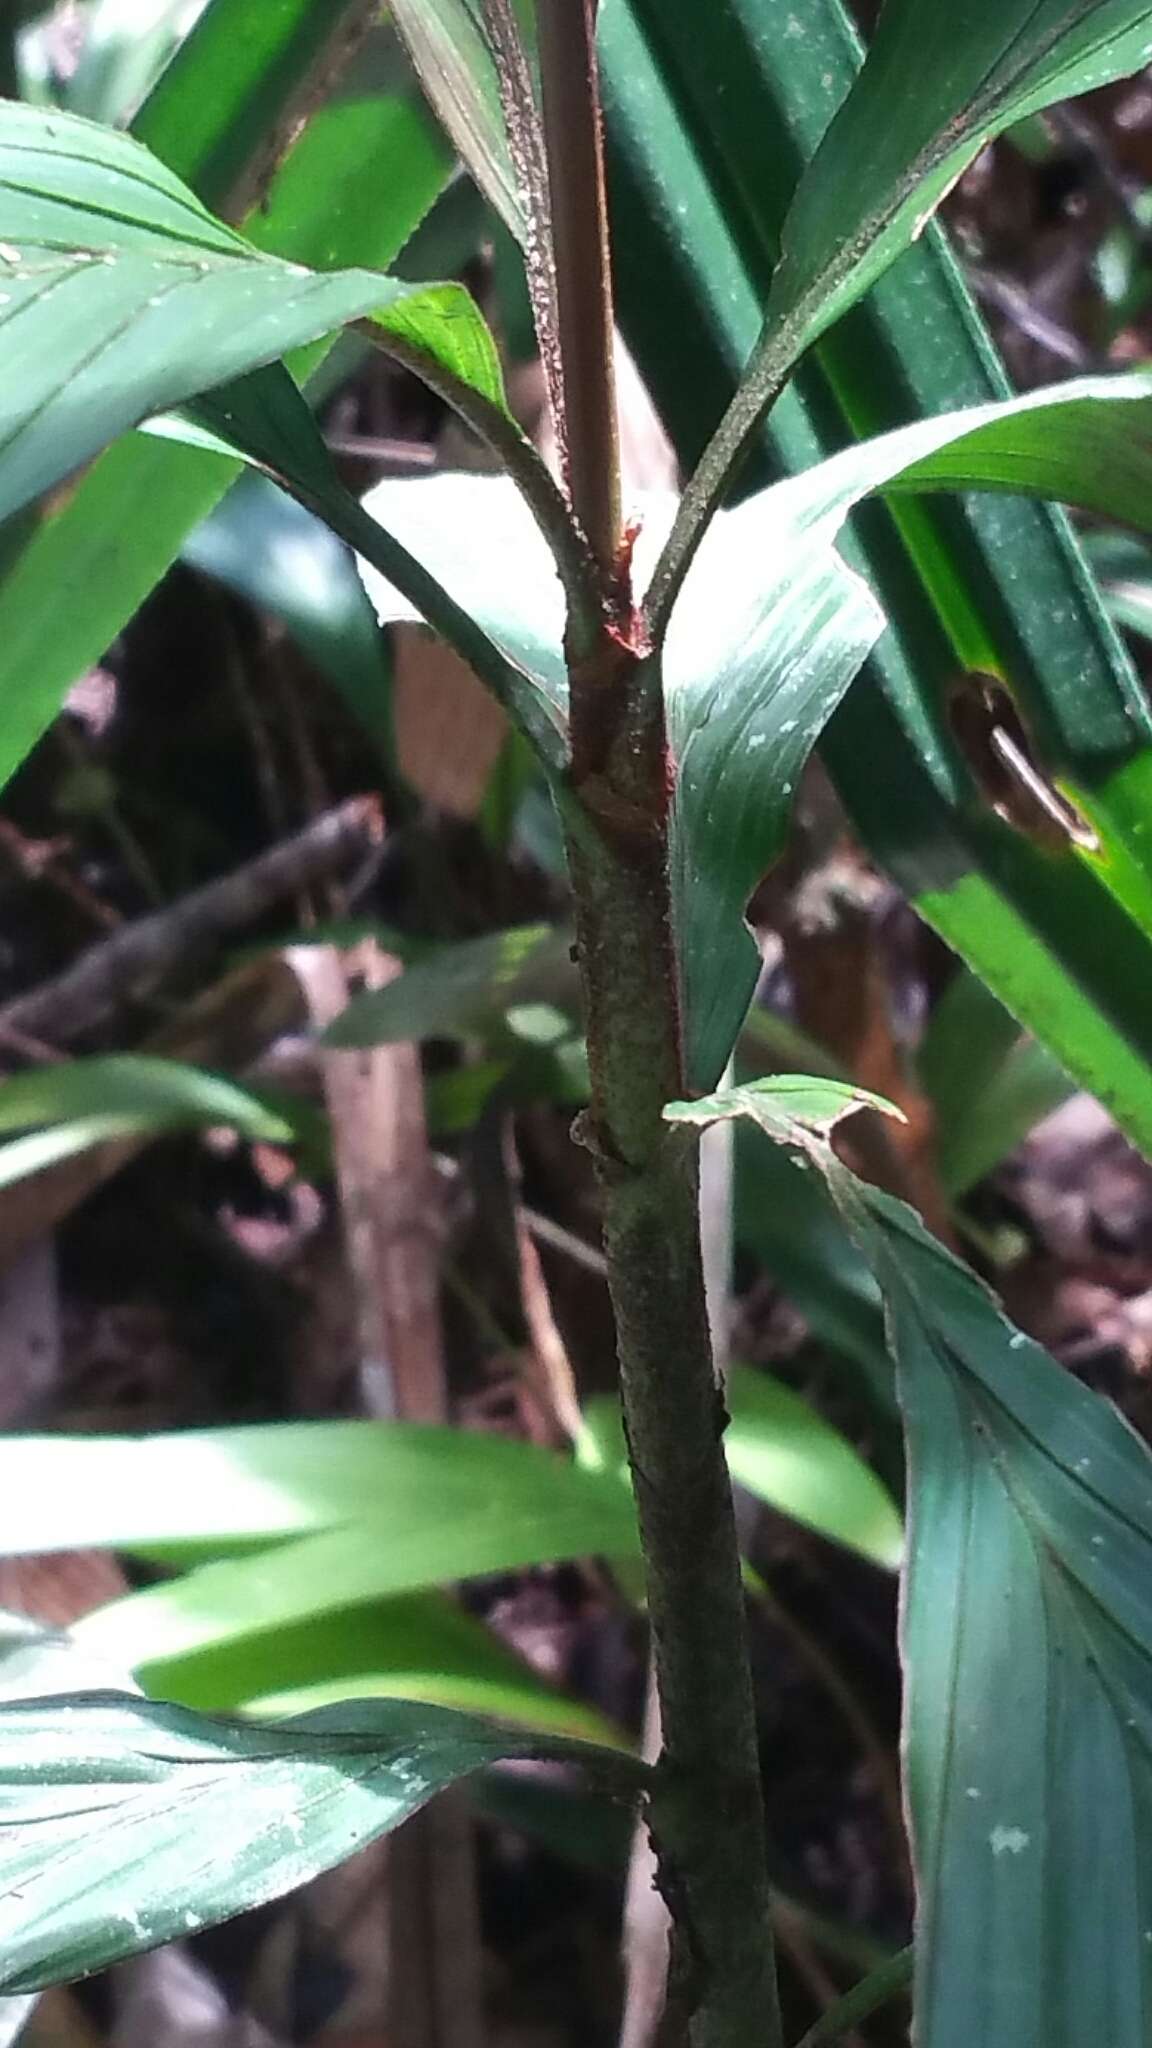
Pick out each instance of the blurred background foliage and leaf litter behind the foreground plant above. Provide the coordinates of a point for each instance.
(292, 1037)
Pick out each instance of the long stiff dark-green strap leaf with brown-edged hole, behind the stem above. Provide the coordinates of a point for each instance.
(979, 583)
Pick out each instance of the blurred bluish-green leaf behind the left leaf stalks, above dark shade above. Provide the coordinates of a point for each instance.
(284, 560)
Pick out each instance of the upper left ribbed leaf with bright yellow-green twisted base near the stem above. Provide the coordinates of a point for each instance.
(122, 296)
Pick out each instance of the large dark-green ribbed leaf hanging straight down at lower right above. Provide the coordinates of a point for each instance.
(1028, 1650)
